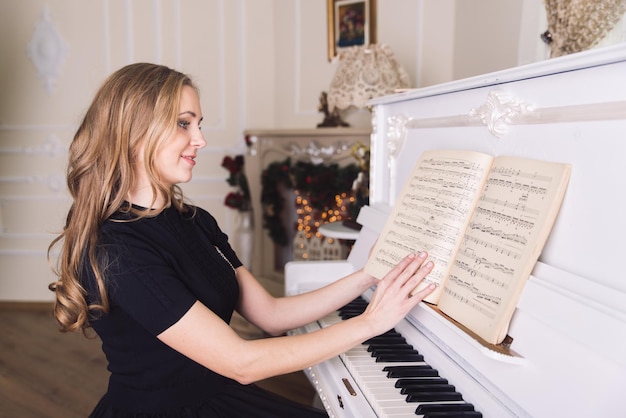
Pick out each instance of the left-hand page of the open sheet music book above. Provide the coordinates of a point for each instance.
(431, 213)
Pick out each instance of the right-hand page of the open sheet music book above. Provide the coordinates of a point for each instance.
(501, 245)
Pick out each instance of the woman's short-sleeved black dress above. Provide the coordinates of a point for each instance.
(156, 269)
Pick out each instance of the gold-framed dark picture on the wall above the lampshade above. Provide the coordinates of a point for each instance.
(350, 23)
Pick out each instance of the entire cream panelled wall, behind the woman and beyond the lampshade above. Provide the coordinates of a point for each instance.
(258, 63)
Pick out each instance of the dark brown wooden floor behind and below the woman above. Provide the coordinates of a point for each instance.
(45, 373)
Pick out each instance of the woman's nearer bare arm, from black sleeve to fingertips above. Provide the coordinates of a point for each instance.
(206, 339)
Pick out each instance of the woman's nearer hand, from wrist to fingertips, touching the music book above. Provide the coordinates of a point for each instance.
(393, 298)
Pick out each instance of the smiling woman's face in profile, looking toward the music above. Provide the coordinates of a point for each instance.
(175, 158)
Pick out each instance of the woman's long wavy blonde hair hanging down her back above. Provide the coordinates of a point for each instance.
(136, 107)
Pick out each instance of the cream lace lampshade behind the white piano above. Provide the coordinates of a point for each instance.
(365, 72)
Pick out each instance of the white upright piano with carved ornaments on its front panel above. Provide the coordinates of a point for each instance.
(569, 329)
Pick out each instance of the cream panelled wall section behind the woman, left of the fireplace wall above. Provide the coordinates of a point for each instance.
(206, 38)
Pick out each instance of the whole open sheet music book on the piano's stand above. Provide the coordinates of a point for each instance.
(484, 221)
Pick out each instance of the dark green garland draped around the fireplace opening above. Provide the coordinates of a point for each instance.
(320, 183)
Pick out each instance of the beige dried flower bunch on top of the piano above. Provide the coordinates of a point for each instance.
(577, 25)
